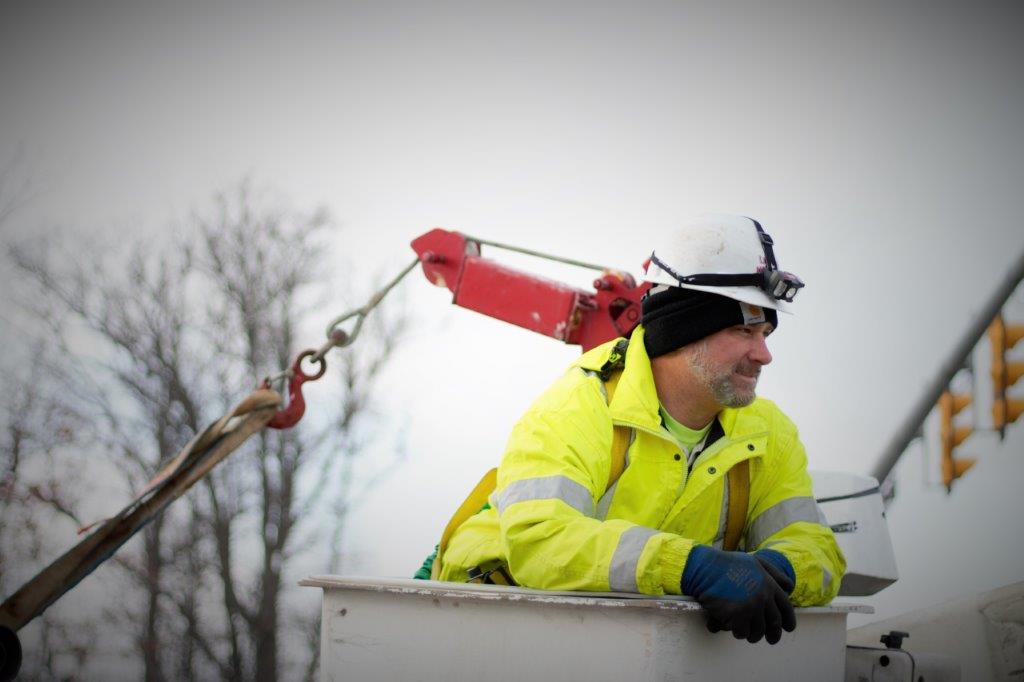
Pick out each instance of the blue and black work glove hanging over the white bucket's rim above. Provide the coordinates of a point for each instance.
(739, 593)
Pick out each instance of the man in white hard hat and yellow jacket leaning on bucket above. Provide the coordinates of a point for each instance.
(684, 389)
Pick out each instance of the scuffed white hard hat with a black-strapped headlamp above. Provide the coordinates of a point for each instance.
(729, 255)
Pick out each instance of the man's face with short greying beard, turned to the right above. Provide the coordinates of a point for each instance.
(729, 363)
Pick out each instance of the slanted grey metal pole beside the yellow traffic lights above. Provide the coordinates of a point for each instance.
(912, 425)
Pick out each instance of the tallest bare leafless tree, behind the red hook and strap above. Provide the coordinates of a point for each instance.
(178, 333)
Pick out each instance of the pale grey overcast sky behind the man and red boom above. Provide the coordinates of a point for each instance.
(880, 144)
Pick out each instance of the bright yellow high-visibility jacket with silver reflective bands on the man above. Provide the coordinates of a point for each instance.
(557, 528)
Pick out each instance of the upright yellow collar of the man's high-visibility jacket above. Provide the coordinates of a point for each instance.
(635, 402)
